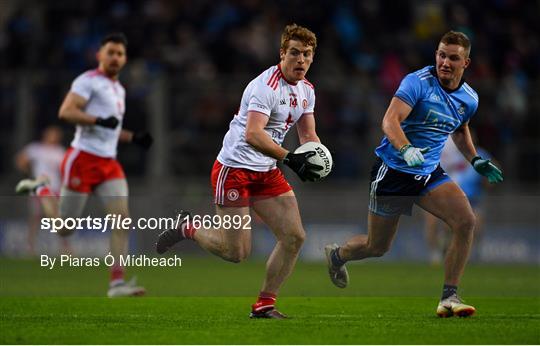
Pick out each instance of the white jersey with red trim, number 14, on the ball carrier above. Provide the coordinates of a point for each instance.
(284, 103)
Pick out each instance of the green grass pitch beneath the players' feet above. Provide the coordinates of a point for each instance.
(207, 301)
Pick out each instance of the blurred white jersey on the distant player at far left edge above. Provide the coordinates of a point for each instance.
(45, 160)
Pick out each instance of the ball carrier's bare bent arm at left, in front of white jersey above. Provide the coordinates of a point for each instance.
(259, 139)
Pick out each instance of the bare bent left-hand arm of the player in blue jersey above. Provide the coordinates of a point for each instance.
(396, 113)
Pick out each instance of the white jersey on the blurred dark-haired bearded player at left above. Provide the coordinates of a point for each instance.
(105, 97)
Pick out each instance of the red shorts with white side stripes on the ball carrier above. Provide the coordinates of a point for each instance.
(240, 187)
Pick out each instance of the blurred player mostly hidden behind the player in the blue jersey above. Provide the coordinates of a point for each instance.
(474, 187)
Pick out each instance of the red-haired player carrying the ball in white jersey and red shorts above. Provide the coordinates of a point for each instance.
(245, 175)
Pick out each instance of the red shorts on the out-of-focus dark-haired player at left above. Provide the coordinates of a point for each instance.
(82, 171)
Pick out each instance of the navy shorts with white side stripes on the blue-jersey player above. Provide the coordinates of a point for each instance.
(393, 192)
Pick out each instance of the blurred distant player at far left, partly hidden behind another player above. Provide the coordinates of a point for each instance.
(42, 159)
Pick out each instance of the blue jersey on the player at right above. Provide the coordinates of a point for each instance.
(435, 114)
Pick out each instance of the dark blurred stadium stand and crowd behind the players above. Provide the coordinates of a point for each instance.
(189, 62)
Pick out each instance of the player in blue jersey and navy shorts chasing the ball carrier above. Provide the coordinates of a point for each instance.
(430, 104)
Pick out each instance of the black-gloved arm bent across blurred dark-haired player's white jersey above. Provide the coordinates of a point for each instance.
(71, 111)
